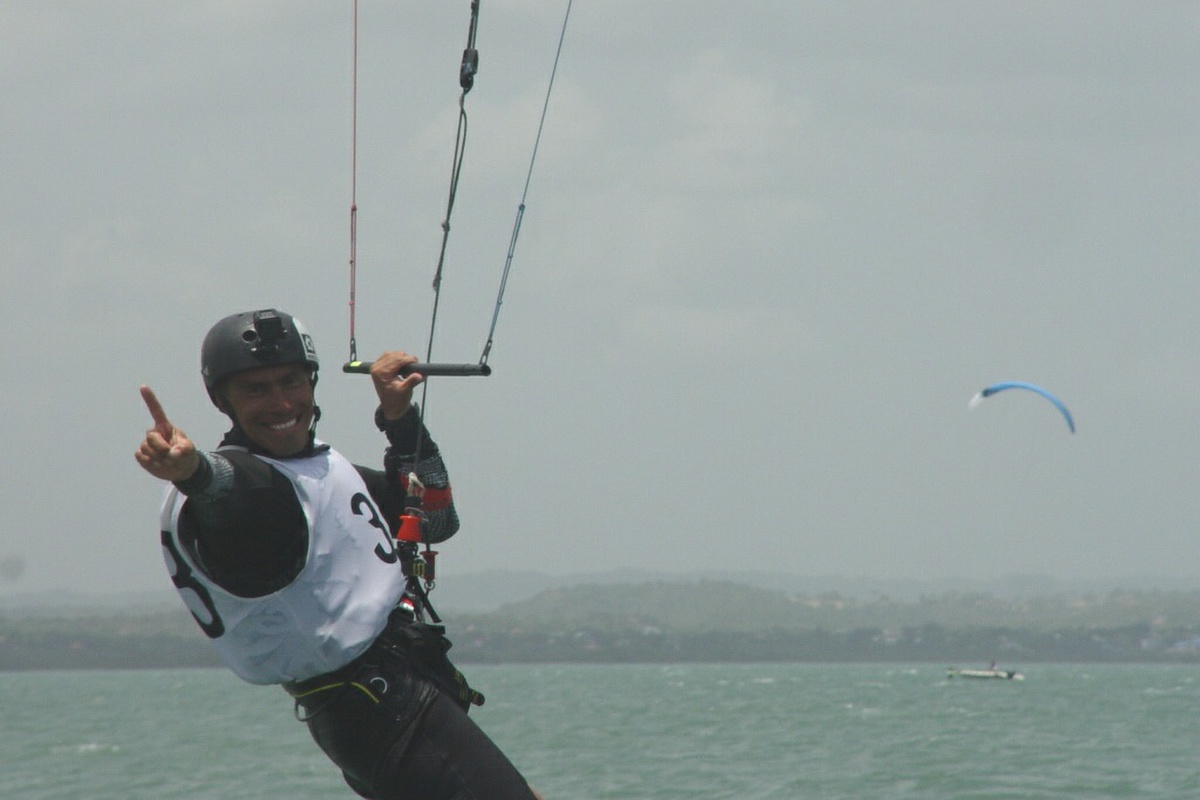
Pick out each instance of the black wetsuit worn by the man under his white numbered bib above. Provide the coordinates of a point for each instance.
(395, 719)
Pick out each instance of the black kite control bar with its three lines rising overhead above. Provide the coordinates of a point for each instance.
(467, 71)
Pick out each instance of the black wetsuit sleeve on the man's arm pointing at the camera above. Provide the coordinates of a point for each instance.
(243, 525)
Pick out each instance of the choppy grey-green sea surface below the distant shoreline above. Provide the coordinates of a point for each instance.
(641, 732)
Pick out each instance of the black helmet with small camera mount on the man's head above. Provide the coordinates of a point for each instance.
(253, 340)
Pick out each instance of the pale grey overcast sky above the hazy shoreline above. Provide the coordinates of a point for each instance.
(772, 250)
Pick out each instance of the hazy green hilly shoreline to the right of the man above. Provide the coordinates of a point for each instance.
(713, 621)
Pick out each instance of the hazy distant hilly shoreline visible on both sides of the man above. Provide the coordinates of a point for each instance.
(705, 622)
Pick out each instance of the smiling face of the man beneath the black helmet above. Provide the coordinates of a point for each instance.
(273, 406)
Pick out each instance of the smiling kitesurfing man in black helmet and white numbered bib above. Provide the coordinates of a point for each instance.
(284, 552)
